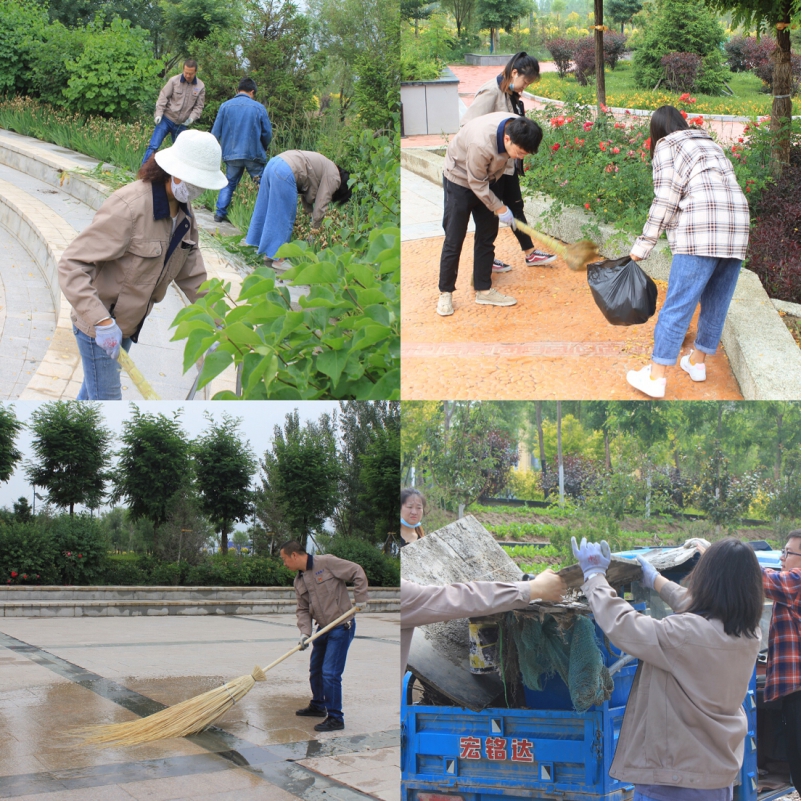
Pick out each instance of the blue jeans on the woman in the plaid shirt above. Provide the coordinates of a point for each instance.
(708, 280)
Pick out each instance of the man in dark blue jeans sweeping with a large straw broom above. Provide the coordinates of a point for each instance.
(322, 596)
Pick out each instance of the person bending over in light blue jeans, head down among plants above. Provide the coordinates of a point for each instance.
(318, 181)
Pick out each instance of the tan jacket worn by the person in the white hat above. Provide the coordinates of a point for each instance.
(116, 266)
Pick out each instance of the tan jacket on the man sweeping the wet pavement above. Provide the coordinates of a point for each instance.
(321, 592)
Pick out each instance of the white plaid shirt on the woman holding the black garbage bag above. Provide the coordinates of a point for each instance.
(697, 200)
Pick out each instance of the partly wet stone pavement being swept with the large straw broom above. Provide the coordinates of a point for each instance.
(58, 674)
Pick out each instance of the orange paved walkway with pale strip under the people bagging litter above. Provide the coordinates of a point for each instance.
(553, 344)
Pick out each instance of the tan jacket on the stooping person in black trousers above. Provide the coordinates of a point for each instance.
(475, 160)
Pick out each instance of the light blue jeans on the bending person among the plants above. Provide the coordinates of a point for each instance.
(274, 213)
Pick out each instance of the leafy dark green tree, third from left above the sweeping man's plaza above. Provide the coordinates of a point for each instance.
(153, 464)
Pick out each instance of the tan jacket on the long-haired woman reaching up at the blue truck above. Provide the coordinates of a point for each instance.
(684, 725)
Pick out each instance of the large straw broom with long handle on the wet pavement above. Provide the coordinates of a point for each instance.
(190, 716)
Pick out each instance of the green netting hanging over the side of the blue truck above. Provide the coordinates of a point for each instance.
(543, 649)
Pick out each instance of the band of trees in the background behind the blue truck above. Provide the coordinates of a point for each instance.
(617, 457)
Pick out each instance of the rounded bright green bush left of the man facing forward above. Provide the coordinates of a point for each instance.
(115, 73)
